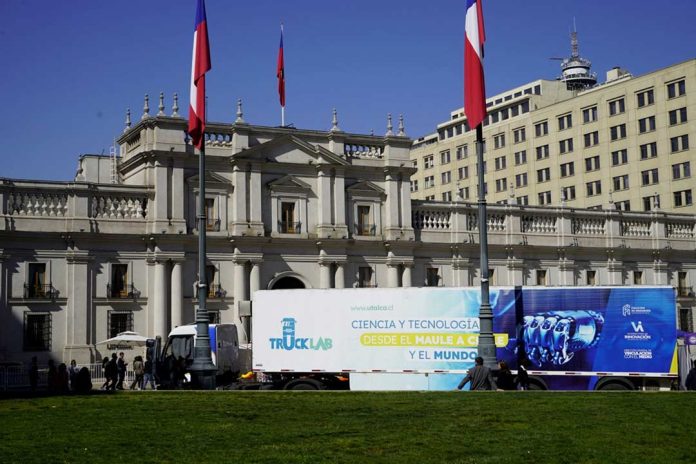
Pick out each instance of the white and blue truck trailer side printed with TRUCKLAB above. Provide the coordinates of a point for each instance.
(430, 335)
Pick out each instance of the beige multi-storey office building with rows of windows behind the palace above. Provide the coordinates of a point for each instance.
(627, 142)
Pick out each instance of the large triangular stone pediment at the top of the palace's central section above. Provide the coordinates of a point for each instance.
(290, 149)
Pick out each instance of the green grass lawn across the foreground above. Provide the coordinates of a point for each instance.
(350, 427)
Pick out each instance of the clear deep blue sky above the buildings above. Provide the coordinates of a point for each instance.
(73, 67)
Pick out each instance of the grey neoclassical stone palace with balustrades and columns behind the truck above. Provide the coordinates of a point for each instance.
(116, 248)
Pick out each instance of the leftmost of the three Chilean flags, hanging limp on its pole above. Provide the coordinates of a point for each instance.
(200, 64)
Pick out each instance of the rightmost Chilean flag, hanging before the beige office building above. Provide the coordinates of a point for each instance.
(474, 85)
